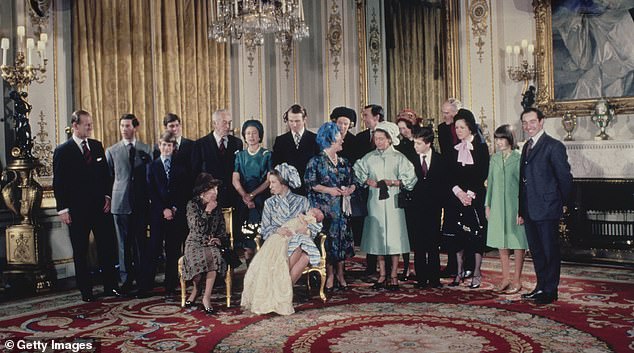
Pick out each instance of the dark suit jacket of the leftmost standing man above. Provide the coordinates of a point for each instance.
(79, 186)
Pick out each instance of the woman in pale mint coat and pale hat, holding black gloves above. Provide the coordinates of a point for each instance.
(385, 171)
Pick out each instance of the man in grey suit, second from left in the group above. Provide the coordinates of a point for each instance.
(127, 160)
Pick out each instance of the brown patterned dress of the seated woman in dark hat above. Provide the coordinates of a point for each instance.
(200, 257)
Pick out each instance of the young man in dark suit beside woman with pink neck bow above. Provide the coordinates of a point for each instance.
(429, 191)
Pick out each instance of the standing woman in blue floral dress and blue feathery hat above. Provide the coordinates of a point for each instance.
(329, 180)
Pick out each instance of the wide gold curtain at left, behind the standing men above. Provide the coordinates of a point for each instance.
(147, 57)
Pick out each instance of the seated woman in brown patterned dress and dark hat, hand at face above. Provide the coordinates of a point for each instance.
(206, 232)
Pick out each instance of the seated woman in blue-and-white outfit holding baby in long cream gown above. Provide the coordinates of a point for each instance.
(289, 227)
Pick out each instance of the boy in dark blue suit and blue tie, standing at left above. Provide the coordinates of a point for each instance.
(166, 183)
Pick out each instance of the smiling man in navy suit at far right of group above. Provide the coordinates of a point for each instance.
(546, 183)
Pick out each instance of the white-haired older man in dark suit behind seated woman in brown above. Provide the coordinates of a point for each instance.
(215, 154)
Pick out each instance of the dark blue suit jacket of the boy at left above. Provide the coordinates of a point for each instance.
(166, 193)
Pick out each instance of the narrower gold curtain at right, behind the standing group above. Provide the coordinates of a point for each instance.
(416, 52)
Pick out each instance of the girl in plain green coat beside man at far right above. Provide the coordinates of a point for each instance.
(506, 229)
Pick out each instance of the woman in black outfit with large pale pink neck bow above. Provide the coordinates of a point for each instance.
(469, 167)
